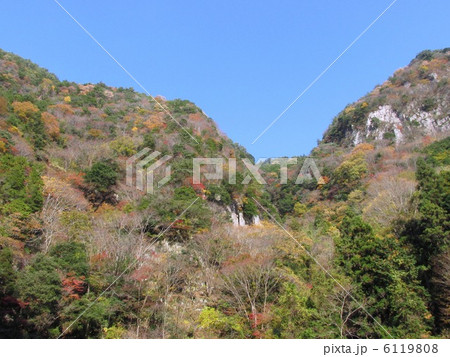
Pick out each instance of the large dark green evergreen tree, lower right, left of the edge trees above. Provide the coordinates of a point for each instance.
(385, 272)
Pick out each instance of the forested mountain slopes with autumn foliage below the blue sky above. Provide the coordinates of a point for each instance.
(84, 255)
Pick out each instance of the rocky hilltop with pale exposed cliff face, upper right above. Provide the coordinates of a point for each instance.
(413, 102)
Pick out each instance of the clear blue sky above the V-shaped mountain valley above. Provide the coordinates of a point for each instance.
(242, 62)
